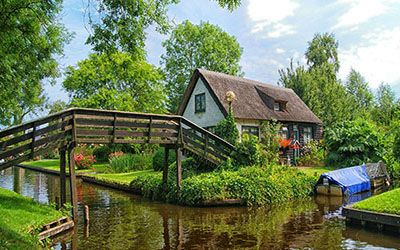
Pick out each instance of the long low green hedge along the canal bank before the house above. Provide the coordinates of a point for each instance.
(253, 185)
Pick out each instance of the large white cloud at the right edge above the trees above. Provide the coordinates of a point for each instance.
(378, 61)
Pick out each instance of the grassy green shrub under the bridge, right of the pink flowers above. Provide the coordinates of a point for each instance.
(130, 162)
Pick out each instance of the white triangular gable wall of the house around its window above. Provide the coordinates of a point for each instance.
(211, 116)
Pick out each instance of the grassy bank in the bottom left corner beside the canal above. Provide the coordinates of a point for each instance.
(20, 219)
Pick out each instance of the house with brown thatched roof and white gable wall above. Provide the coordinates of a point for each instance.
(205, 103)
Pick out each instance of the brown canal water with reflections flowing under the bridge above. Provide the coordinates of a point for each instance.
(119, 220)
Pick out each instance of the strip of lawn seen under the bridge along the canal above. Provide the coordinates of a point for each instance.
(124, 178)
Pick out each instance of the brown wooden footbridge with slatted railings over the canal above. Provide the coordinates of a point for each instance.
(67, 129)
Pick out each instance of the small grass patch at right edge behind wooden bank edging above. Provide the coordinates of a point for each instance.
(388, 202)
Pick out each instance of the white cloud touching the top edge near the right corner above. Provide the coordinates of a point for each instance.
(360, 11)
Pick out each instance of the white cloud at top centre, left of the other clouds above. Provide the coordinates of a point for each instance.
(270, 14)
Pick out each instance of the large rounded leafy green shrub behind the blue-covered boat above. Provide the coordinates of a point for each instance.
(352, 143)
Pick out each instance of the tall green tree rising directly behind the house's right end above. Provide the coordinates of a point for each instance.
(316, 83)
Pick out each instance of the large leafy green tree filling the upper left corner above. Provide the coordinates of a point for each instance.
(30, 38)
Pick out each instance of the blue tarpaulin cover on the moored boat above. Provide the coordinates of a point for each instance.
(352, 180)
